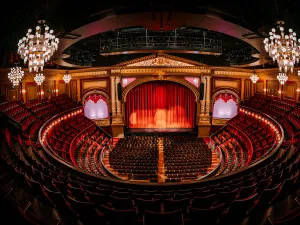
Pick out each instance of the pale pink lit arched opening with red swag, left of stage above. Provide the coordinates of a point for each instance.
(95, 107)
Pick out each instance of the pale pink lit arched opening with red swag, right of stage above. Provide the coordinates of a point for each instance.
(225, 106)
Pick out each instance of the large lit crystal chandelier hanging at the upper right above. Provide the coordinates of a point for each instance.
(283, 48)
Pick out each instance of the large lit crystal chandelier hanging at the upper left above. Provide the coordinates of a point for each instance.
(38, 47)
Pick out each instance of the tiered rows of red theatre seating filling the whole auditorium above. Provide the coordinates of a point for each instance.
(62, 180)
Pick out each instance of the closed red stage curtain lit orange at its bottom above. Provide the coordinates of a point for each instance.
(160, 104)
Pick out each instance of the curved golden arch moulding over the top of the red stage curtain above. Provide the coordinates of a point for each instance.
(183, 82)
